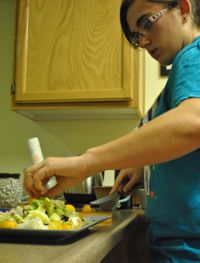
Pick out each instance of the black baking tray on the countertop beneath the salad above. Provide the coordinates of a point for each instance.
(54, 237)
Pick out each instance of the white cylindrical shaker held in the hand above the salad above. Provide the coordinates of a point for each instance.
(37, 156)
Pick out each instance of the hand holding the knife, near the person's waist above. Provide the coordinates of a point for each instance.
(127, 179)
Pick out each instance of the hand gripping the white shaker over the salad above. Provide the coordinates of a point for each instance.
(68, 172)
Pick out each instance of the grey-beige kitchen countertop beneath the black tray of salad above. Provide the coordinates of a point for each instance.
(91, 247)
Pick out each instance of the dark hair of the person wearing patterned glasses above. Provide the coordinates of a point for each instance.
(170, 3)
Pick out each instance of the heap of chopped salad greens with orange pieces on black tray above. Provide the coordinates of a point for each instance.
(43, 213)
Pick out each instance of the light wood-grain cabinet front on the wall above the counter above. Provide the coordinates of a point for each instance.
(72, 50)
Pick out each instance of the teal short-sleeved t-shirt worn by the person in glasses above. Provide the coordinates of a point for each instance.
(174, 203)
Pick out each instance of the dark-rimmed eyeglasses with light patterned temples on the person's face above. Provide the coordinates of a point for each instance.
(145, 27)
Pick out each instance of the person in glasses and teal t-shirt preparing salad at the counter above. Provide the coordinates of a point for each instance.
(169, 143)
